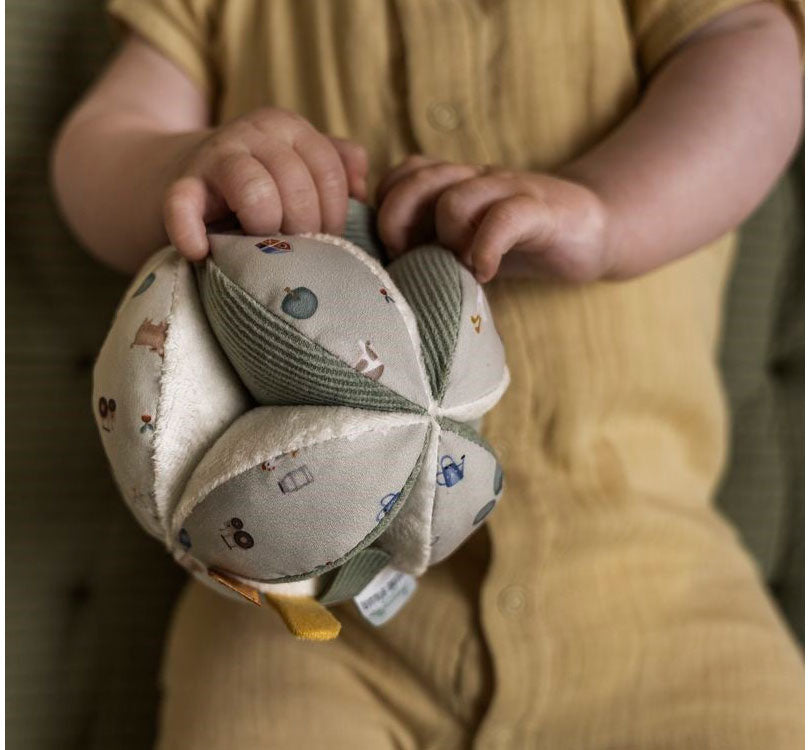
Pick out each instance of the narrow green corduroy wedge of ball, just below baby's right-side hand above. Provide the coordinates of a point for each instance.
(428, 277)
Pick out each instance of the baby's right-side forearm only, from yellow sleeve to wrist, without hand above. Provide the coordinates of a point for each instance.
(715, 127)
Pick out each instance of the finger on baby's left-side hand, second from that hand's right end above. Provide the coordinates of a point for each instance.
(329, 175)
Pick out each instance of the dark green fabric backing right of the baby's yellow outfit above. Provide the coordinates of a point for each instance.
(762, 360)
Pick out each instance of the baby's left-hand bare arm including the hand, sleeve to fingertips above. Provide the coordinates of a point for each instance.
(137, 164)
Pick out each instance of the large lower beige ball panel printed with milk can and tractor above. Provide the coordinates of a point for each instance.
(301, 512)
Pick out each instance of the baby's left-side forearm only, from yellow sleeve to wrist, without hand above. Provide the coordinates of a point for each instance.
(116, 153)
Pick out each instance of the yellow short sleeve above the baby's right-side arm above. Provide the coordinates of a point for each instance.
(659, 26)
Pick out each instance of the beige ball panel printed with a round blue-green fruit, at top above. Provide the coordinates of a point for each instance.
(342, 300)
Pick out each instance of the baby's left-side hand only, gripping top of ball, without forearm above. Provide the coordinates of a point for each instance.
(273, 170)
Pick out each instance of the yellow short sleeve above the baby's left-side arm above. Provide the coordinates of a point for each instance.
(182, 30)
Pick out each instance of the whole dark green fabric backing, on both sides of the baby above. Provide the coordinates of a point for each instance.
(88, 594)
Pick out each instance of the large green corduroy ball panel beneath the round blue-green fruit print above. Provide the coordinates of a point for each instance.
(281, 366)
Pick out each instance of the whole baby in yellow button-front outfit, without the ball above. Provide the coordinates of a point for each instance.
(554, 146)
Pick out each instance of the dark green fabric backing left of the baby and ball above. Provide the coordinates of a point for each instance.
(88, 594)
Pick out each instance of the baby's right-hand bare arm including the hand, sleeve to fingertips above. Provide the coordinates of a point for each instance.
(717, 123)
